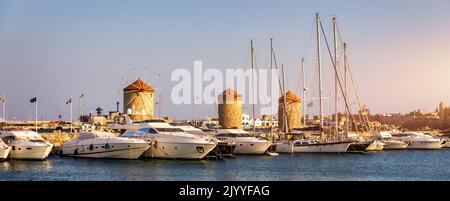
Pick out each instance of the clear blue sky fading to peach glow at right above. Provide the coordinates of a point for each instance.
(399, 50)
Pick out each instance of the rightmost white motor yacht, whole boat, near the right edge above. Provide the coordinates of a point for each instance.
(418, 140)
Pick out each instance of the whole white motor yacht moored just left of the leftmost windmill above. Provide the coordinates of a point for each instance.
(98, 144)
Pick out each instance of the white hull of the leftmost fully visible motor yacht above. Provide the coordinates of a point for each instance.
(30, 152)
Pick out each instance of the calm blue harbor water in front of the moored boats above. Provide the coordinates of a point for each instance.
(386, 165)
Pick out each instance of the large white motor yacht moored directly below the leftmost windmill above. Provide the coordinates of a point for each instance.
(170, 142)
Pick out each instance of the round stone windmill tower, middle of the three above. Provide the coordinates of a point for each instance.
(230, 109)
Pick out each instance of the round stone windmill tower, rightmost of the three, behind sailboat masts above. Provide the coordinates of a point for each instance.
(293, 114)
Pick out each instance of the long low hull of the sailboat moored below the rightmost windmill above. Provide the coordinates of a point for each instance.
(337, 147)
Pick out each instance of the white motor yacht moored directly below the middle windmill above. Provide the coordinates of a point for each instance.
(245, 142)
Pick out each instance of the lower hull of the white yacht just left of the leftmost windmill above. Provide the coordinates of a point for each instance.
(115, 151)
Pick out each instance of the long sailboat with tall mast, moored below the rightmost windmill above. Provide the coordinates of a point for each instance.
(322, 145)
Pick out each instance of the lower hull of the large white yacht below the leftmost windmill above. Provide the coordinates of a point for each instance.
(174, 150)
